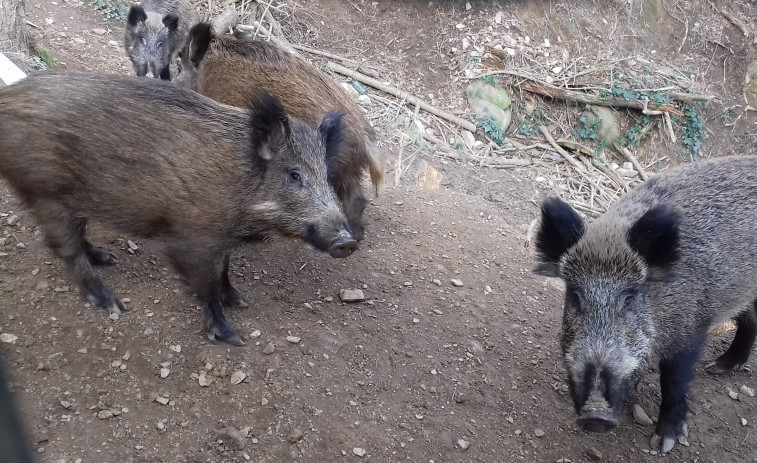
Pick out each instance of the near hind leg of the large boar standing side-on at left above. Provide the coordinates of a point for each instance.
(63, 235)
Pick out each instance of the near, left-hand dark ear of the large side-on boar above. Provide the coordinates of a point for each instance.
(268, 123)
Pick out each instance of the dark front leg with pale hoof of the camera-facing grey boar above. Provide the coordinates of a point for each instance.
(676, 372)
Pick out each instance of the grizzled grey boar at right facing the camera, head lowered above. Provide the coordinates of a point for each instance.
(646, 280)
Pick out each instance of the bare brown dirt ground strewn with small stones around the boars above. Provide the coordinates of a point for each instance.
(424, 370)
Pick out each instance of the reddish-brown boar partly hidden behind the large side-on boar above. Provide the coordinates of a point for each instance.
(225, 69)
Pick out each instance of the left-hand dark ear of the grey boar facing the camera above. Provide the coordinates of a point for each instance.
(561, 228)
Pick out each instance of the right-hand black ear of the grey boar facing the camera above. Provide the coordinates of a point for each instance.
(655, 236)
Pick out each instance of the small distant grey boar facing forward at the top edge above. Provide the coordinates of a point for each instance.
(155, 33)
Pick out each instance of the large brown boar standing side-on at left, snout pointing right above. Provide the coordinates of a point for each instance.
(150, 159)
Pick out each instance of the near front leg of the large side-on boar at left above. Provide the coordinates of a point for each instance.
(205, 277)
